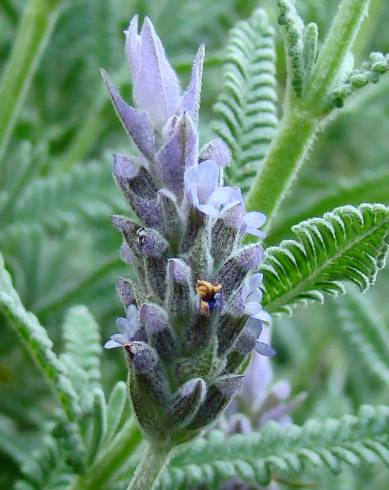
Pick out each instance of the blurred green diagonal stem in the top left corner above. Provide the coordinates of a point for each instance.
(34, 31)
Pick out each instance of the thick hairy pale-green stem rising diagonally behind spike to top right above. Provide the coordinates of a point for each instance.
(303, 116)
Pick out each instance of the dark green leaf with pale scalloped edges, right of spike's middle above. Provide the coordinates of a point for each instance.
(347, 244)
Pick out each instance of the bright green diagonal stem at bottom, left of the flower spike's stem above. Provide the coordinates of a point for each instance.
(111, 460)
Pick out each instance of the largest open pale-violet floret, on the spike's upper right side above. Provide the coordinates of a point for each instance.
(203, 190)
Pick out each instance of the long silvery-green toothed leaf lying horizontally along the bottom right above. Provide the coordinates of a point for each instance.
(255, 458)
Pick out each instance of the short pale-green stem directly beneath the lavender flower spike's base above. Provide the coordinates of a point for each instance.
(150, 467)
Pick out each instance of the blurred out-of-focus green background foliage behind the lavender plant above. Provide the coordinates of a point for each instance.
(57, 196)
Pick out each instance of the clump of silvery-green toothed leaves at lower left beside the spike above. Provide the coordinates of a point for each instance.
(66, 440)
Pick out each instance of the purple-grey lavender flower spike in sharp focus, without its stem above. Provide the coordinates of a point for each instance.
(193, 304)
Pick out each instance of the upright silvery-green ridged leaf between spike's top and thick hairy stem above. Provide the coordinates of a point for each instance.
(247, 104)
